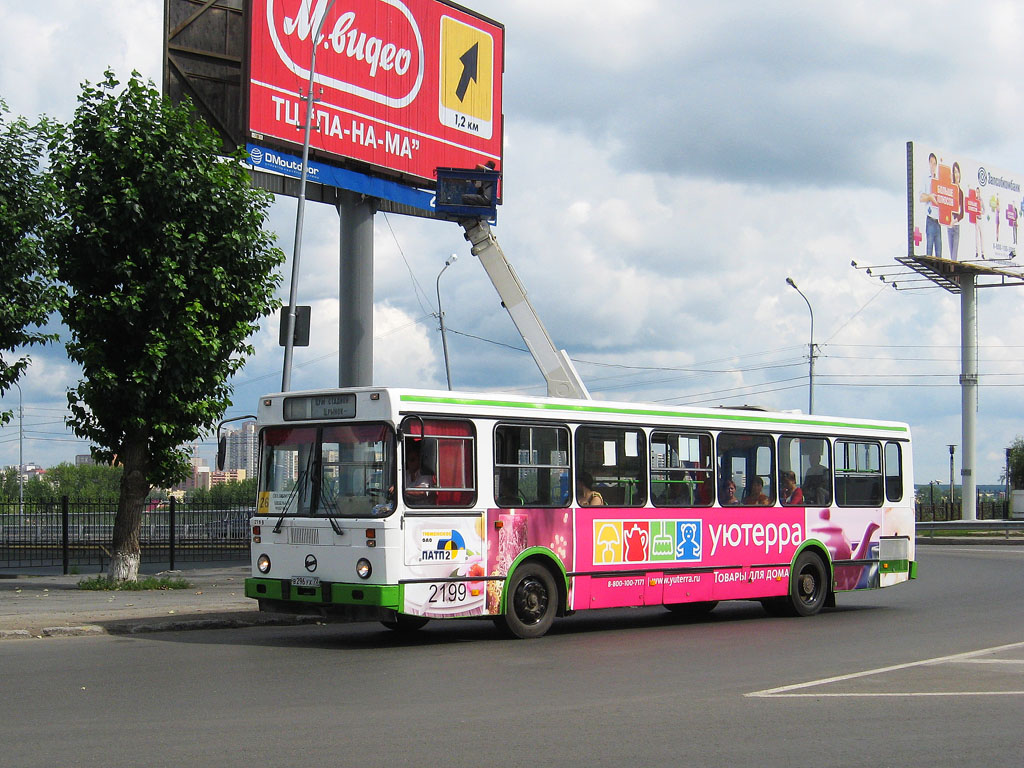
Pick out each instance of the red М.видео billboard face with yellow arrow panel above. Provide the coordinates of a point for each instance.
(402, 87)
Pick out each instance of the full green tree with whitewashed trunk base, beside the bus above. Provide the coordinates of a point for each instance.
(168, 271)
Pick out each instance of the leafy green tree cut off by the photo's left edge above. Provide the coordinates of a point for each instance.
(26, 201)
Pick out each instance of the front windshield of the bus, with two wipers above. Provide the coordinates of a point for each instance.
(334, 472)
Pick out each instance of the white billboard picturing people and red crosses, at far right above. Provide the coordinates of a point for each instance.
(959, 209)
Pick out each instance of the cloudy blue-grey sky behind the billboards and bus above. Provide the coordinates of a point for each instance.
(667, 166)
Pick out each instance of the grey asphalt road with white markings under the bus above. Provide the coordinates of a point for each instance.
(930, 673)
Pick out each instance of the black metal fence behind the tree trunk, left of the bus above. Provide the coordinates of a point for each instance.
(72, 534)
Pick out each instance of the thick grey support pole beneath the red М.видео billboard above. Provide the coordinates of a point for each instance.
(356, 312)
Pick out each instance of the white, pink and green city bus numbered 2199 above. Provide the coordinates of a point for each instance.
(403, 506)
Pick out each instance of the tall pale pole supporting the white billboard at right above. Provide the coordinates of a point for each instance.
(969, 393)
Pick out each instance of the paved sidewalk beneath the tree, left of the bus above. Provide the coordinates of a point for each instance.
(54, 607)
